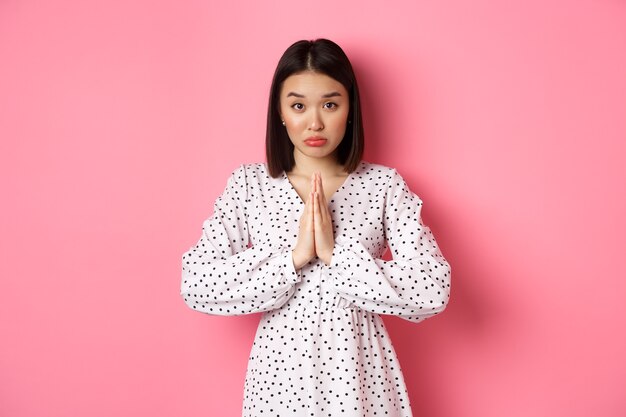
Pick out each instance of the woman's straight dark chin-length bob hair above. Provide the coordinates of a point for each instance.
(324, 57)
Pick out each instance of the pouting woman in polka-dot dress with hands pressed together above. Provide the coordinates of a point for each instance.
(300, 239)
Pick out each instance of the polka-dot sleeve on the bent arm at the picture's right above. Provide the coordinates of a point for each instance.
(414, 285)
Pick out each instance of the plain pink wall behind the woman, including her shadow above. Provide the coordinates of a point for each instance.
(121, 120)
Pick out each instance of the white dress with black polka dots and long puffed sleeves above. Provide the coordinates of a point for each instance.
(321, 348)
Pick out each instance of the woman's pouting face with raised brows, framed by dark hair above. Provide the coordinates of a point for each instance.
(315, 110)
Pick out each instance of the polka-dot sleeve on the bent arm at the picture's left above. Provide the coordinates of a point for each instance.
(222, 274)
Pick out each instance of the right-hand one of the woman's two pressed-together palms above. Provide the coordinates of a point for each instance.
(323, 223)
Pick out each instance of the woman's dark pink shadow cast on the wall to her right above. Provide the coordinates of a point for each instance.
(471, 320)
